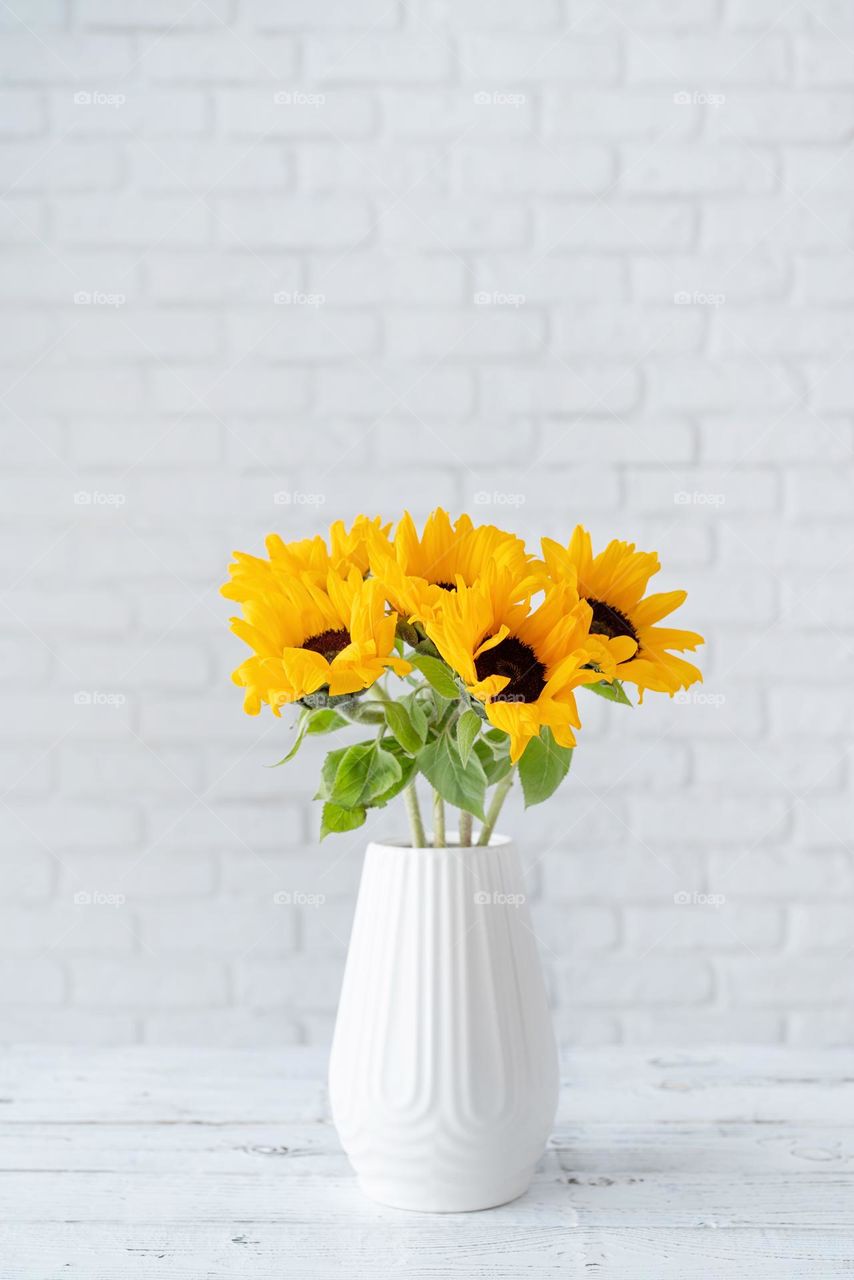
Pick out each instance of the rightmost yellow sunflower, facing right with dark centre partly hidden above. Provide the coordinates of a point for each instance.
(614, 584)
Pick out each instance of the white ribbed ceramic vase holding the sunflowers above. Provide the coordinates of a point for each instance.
(444, 1076)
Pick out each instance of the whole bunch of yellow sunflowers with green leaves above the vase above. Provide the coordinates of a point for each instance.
(487, 644)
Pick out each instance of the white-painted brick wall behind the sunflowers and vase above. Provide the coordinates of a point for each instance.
(582, 164)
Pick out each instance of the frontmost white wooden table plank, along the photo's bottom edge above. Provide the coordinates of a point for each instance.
(423, 1249)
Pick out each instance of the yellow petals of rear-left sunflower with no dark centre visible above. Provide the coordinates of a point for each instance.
(254, 578)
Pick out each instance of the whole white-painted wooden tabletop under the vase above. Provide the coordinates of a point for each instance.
(148, 1163)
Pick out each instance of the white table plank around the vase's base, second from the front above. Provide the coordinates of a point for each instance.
(287, 1195)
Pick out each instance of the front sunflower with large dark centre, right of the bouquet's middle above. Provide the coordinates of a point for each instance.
(524, 664)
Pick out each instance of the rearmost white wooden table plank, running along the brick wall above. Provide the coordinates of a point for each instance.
(148, 1084)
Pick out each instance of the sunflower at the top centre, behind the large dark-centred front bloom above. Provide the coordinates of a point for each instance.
(419, 573)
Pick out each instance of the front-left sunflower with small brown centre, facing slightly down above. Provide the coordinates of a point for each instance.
(307, 638)
